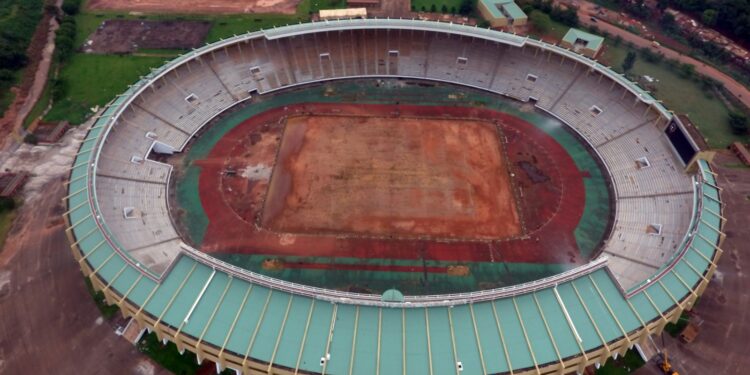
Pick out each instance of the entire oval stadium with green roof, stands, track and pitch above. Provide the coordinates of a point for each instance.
(542, 213)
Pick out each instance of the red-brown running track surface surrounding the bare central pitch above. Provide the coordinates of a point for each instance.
(548, 186)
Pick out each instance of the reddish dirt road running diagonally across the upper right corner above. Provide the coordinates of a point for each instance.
(737, 89)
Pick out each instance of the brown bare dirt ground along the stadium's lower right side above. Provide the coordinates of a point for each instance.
(721, 345)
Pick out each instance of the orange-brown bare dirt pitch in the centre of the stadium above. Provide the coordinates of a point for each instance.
(391, 177)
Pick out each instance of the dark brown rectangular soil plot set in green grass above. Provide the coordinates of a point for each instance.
(126, 36)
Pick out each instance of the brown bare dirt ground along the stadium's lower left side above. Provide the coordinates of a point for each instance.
(50, 324)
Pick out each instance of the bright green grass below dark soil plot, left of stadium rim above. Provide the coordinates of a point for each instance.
(93, 80)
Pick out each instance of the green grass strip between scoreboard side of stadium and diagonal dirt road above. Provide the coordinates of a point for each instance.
(682, 95)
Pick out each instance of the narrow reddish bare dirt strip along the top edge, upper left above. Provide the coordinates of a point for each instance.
(197, 6)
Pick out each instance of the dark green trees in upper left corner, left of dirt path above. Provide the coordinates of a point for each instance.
(18, 20)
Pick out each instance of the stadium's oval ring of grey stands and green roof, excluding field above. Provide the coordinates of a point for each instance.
(658, 260)
